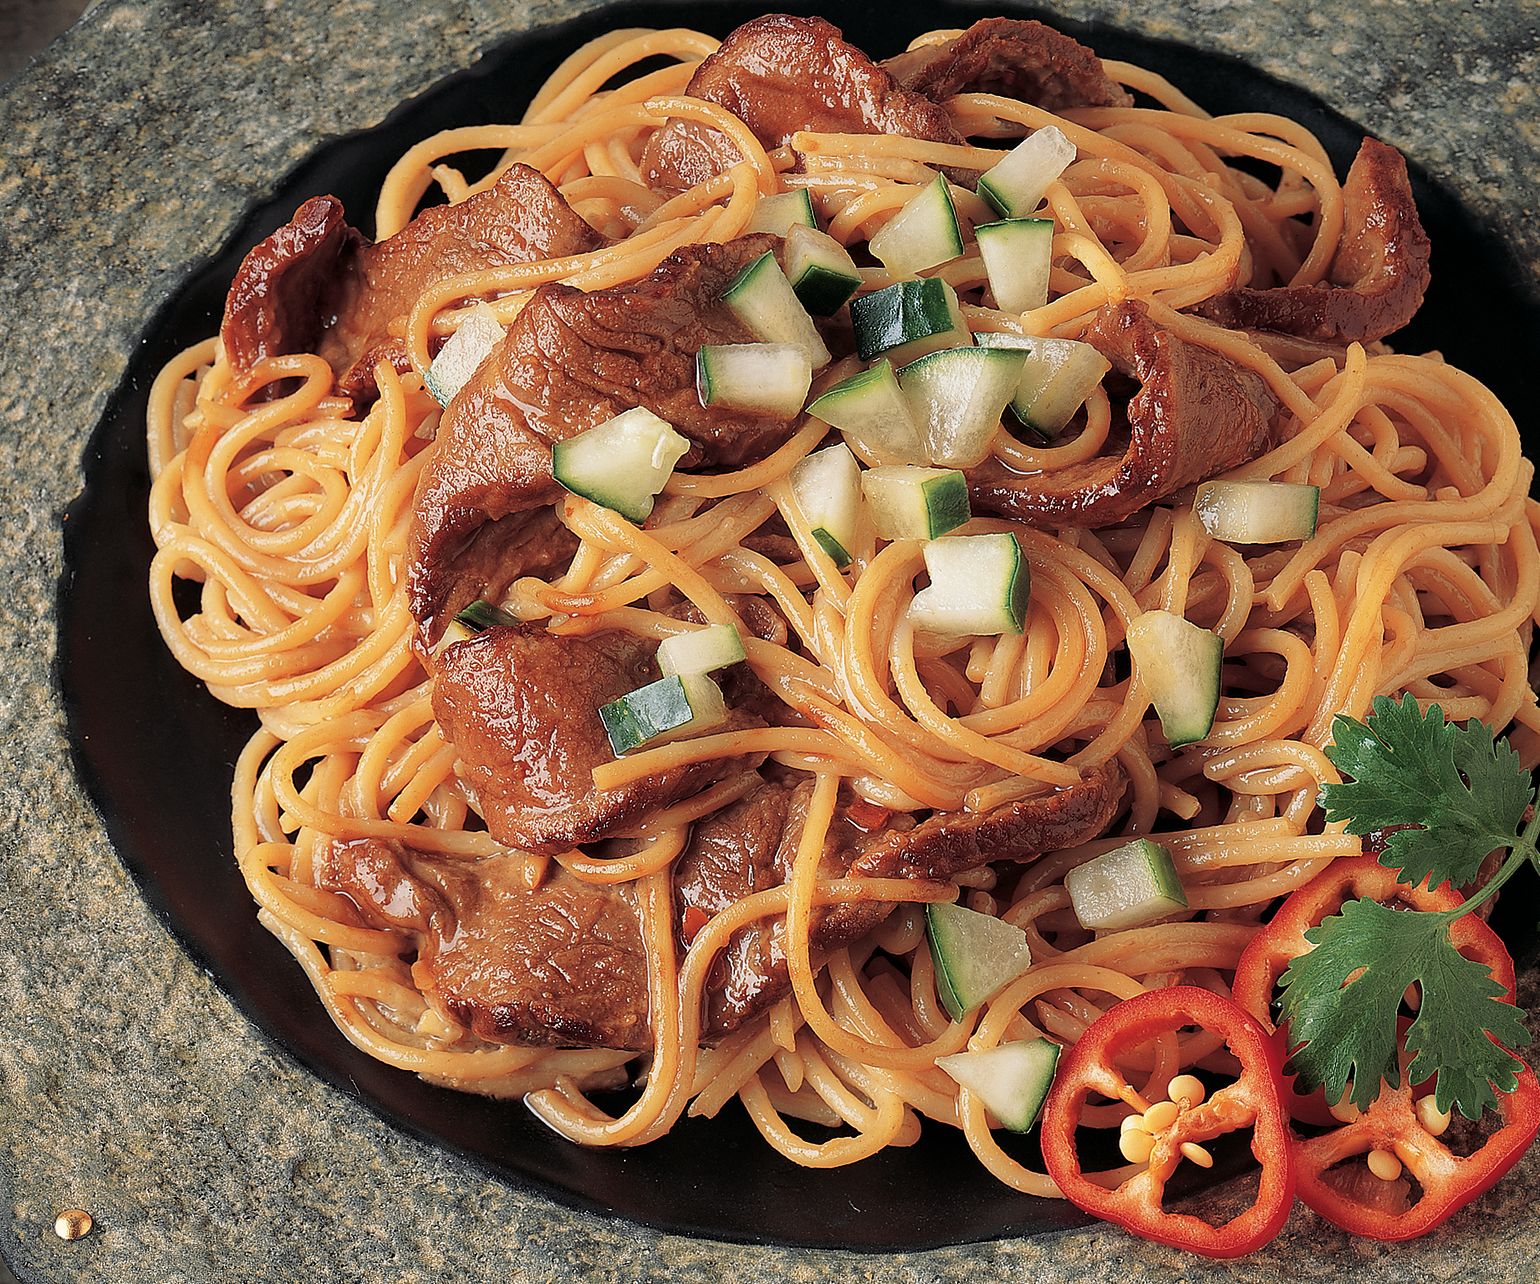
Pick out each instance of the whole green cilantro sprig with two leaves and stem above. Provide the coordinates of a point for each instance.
(1453, 795)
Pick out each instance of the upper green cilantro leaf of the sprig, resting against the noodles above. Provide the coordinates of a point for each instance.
(1462, 791)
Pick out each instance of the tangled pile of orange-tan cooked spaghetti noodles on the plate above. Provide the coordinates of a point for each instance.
(292, 517)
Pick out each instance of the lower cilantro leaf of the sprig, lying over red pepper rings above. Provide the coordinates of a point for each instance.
(1341, 1003)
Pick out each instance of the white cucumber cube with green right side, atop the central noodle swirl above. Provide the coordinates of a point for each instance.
(979, 586)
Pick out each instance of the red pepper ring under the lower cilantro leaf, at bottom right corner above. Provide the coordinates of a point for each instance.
(1448, 1182)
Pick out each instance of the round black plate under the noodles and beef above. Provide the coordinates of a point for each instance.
(169, 811)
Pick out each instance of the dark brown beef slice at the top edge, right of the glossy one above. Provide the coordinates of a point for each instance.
(1014, 58)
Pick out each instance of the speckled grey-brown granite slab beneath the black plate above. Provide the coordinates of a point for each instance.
(129, 1085)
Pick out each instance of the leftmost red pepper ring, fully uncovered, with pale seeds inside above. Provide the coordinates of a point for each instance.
(1253, 1102)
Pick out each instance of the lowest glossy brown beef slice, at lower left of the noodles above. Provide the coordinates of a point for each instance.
(561, 966)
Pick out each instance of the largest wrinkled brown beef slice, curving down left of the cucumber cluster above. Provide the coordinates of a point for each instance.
(569, 363)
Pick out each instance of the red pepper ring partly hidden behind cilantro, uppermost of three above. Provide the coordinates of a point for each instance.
(1284, 940)
